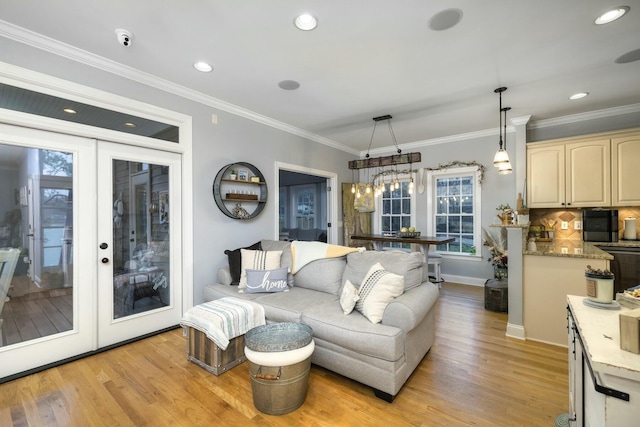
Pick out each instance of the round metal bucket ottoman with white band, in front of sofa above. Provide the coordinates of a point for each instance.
(279, 357)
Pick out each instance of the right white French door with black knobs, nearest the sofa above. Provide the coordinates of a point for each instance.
(139, 241)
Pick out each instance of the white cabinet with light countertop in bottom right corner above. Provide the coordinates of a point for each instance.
(604, 381)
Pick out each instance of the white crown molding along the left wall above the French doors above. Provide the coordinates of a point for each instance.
(56, 47)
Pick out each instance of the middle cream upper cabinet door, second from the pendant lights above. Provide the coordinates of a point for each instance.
(588, 173)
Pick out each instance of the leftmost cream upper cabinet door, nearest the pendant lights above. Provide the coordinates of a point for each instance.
(546, 176)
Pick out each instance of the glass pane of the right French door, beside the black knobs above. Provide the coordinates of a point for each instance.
(141, 222)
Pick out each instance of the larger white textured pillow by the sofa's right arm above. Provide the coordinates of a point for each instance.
(377, 290)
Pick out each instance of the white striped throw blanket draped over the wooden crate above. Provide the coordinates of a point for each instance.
(224, 319)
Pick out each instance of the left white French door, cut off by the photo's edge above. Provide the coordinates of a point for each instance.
(49, 316)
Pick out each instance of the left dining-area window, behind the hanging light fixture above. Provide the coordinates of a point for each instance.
(395, 208)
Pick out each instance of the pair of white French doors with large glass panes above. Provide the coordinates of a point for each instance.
(86, 279)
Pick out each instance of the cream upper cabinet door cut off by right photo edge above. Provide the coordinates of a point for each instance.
(625, 153)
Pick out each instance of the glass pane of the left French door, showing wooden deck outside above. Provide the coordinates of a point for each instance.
(36, 243)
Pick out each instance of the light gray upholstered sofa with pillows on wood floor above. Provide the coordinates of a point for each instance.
(380, 355)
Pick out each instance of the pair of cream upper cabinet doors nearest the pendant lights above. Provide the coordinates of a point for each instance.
(571, 173)
